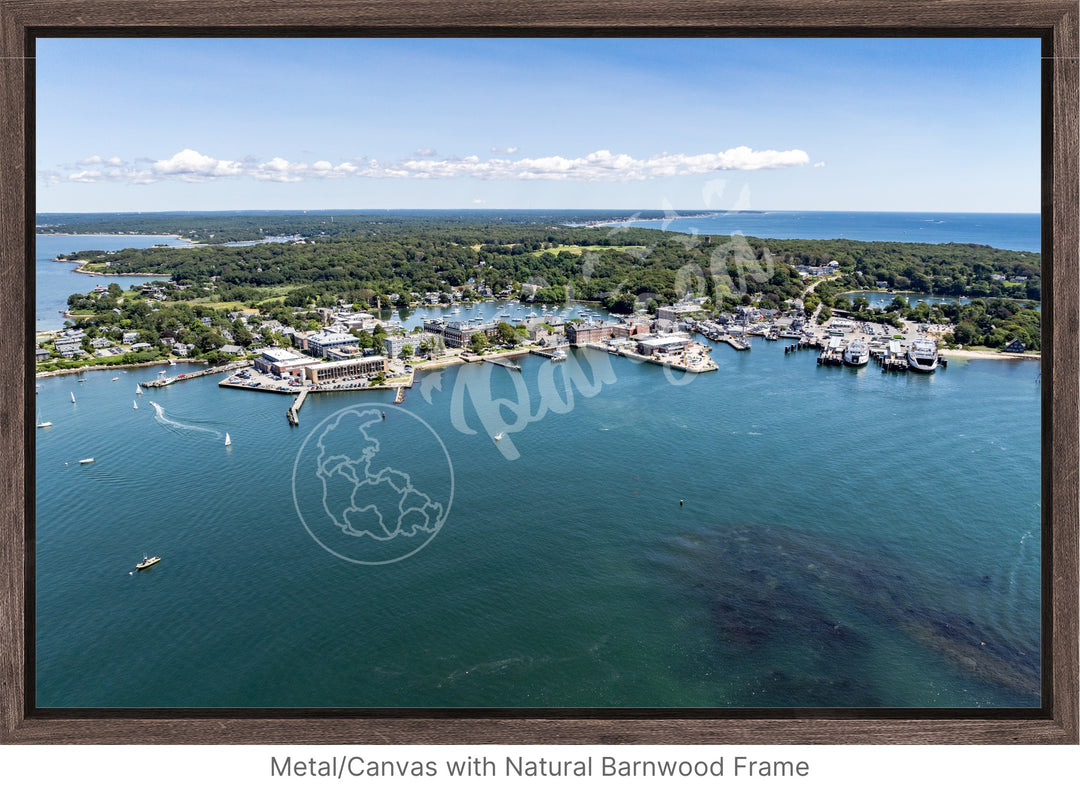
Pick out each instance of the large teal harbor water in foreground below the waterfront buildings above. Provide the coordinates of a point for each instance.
(775, 534)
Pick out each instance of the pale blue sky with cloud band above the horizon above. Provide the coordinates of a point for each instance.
(209, 125)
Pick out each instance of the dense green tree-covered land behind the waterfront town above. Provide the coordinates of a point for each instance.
(425, 260)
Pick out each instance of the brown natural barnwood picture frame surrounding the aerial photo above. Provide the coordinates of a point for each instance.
(1055, 22)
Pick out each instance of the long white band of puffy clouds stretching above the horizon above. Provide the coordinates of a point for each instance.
(602, 166)
